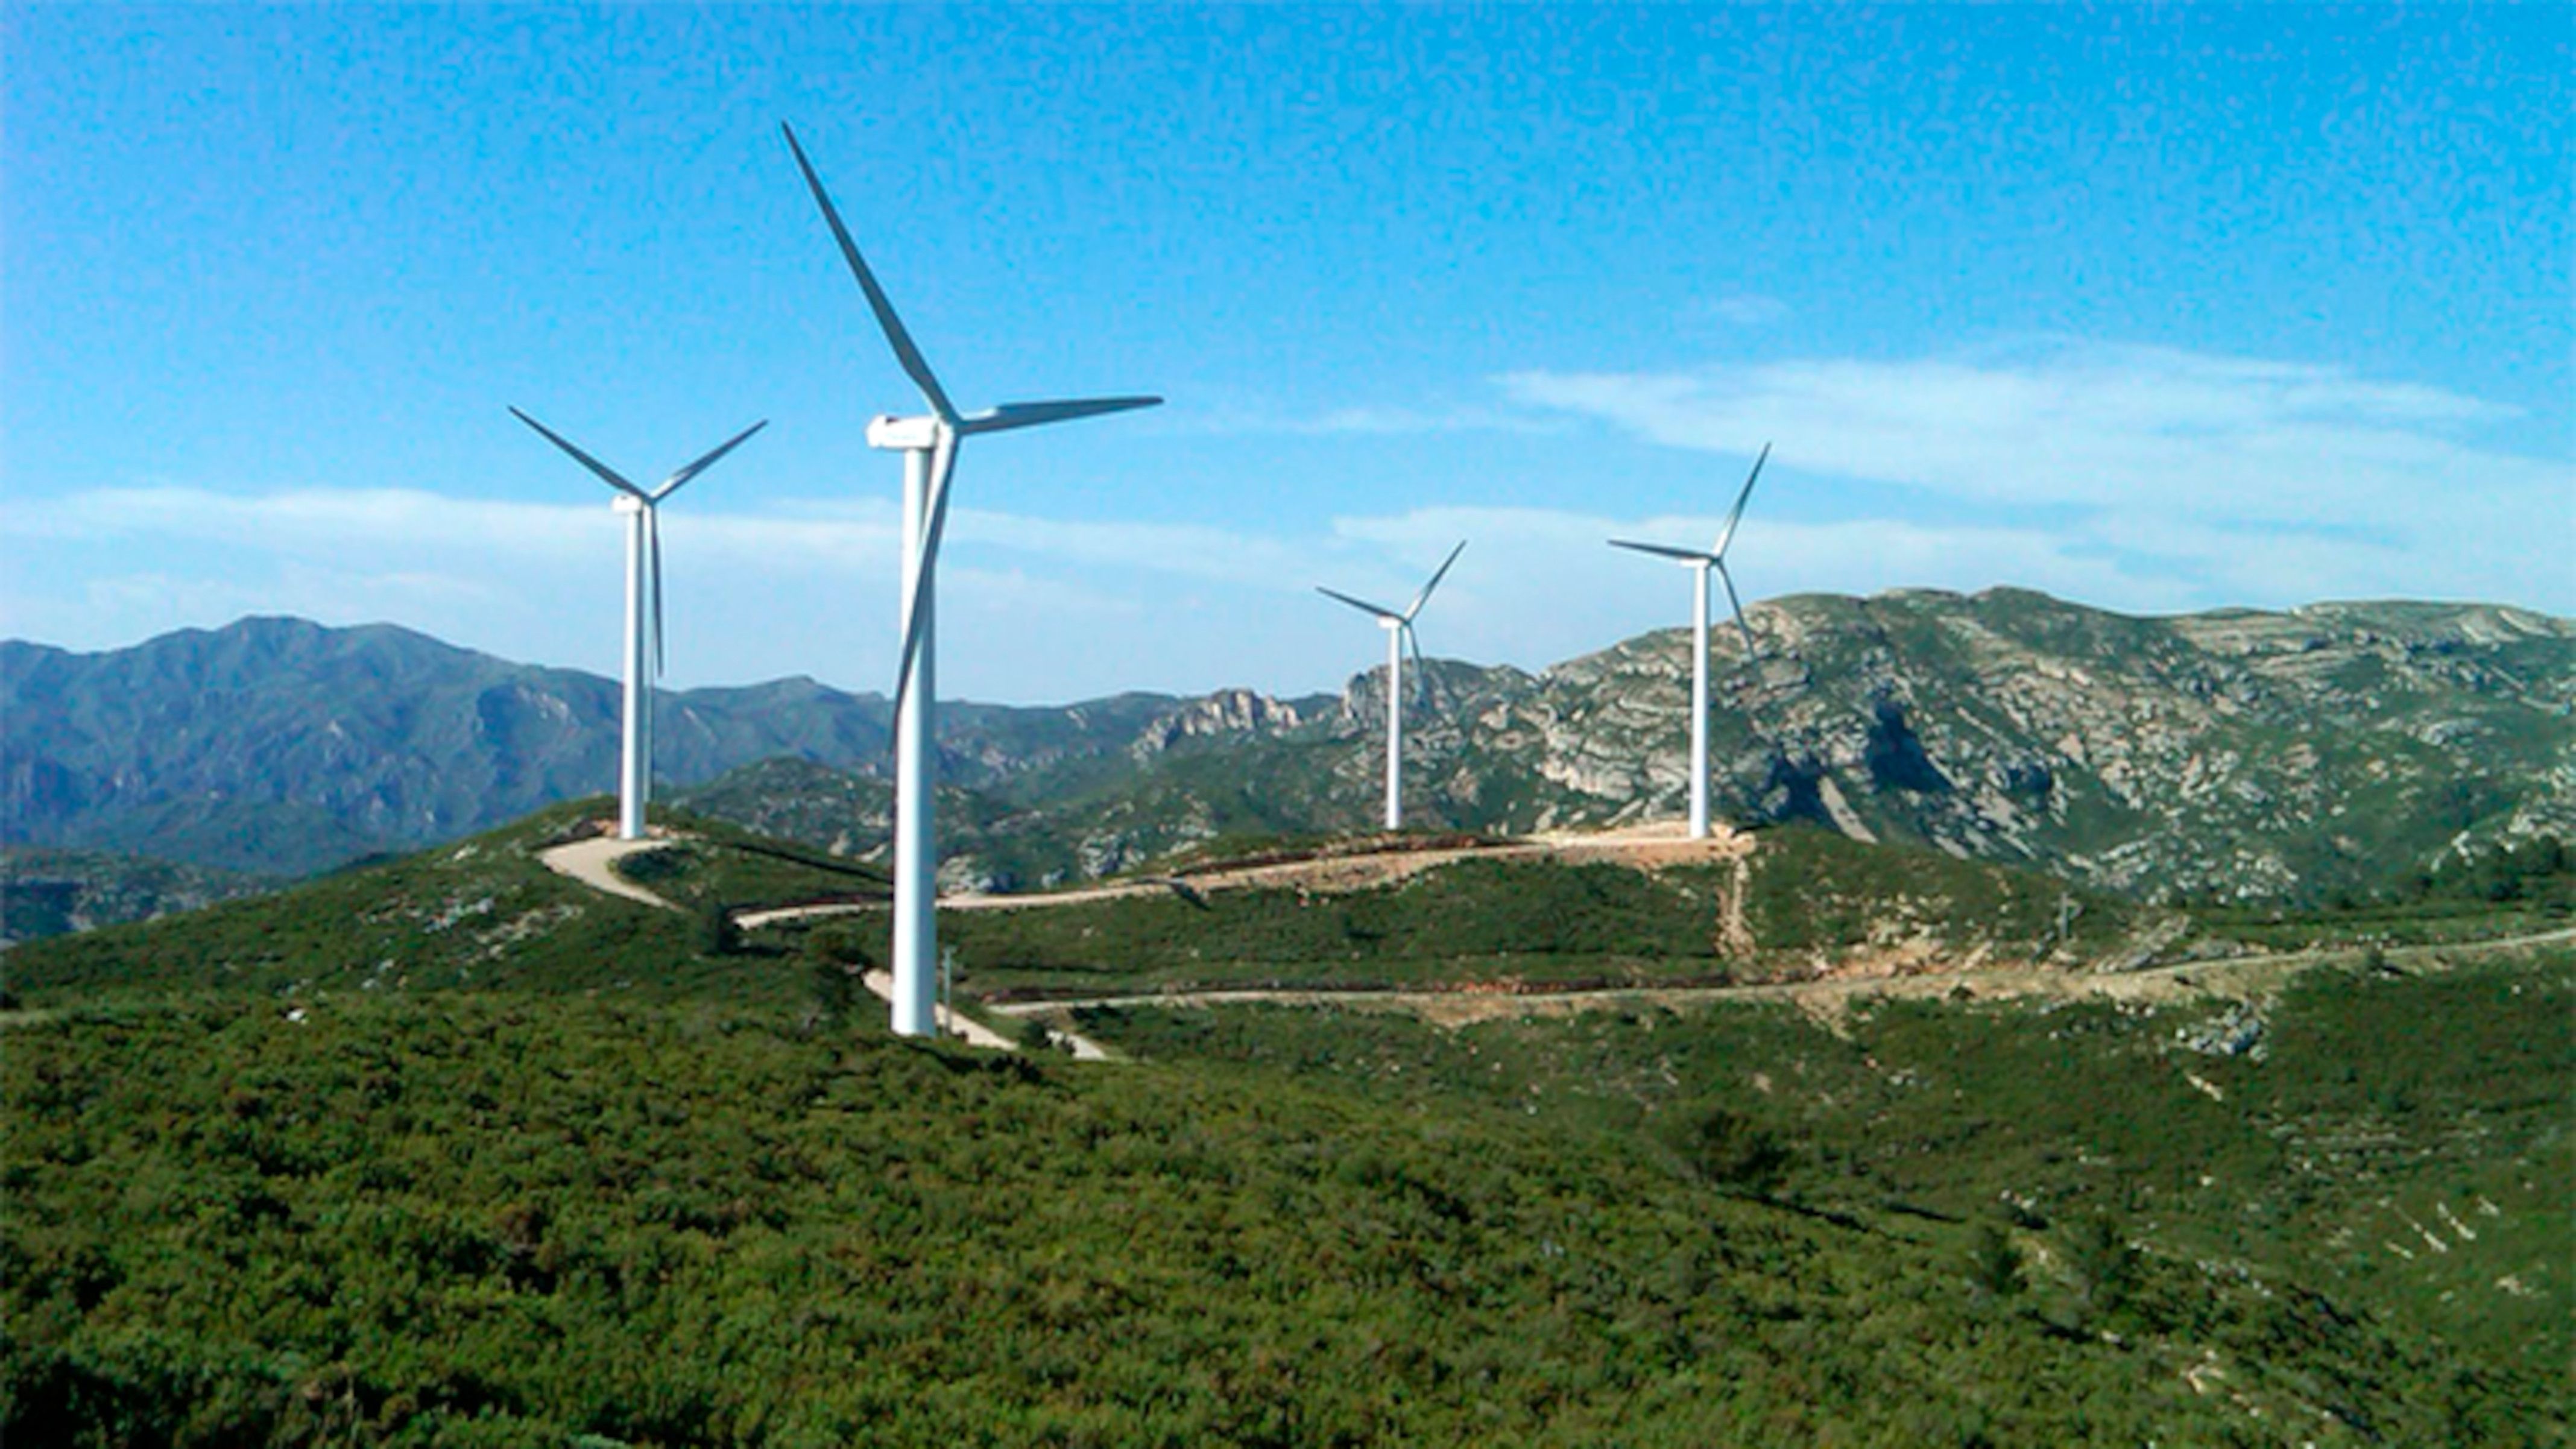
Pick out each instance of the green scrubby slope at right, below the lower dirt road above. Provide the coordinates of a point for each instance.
(2374, 1118)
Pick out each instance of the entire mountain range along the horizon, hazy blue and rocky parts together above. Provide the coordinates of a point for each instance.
(2271, 754)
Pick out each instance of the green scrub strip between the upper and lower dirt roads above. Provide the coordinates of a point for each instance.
(1810, 901)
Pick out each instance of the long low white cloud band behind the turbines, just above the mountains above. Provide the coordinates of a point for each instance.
(1029, 607)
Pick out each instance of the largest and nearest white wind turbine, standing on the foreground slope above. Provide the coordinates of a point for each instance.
(931, 452)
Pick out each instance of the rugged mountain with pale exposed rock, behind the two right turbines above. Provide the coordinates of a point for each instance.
(2224, 754)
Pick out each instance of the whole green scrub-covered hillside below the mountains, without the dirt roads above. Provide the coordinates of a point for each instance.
(457, 1151)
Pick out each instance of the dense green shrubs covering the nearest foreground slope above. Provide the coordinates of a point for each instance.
(514, 1221)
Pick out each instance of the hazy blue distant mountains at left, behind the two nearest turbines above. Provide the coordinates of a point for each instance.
(285, 746)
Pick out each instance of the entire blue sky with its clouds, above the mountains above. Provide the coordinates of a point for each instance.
(2152, 308)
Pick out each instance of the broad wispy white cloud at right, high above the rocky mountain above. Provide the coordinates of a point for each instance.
(2209, 468)
